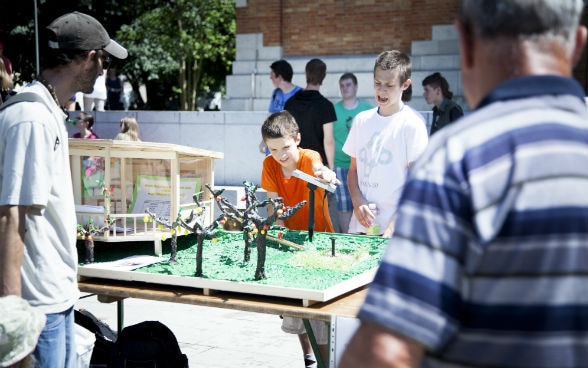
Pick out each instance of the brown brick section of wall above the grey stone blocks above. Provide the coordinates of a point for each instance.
(342, 27)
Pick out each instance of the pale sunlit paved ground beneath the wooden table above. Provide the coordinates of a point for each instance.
(211, 337)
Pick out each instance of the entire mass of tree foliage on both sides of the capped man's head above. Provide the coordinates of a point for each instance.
(176, 47)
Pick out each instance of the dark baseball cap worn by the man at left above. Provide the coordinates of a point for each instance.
(79, 31)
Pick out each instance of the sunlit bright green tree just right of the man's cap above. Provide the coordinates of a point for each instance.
(176, 44)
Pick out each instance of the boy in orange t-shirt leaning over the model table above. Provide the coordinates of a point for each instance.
(280, 134)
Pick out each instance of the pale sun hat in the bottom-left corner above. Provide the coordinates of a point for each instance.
(20, 327)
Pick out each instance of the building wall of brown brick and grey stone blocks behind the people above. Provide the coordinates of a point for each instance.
(347, 35)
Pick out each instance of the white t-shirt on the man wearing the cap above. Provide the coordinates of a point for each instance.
(34, 150)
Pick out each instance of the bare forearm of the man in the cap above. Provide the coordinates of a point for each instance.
(12, 229)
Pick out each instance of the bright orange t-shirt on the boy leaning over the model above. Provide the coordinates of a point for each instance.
(294, 190)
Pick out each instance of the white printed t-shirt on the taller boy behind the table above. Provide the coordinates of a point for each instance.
(383, 146)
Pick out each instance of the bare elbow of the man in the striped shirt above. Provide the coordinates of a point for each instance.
(374, 347)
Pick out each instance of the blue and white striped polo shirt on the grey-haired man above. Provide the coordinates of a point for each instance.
(488, 266)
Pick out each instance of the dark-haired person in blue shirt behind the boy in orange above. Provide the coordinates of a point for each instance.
(281, 76)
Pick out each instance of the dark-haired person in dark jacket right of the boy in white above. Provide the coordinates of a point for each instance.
(445, 111)
